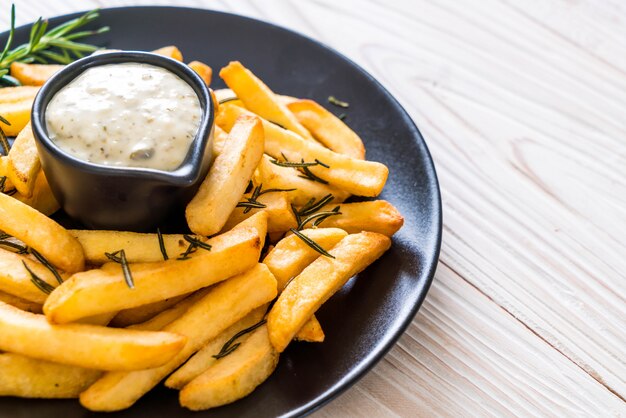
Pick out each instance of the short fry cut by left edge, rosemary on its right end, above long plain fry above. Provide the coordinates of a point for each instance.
(16, 280)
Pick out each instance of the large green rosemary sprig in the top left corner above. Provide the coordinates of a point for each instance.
(56, 45)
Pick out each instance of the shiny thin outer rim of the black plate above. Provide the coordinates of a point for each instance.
(378, 353)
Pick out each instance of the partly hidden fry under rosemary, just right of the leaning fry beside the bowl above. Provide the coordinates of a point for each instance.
(280, 217)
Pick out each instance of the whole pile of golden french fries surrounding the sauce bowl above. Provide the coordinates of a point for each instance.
(104, 316)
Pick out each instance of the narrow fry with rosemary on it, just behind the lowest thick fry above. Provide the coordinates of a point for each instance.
(204, 358)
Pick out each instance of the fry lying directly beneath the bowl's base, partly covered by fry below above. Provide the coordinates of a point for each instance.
(139, 247)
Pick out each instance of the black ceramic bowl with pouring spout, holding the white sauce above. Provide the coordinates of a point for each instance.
(122, 198)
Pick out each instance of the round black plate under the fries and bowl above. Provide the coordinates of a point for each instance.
(364, 319)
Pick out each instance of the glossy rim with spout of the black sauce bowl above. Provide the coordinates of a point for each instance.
(190, 169)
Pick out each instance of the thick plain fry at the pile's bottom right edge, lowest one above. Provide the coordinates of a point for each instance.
(232, 377)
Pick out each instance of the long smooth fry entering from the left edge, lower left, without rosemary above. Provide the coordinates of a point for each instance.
(98, 348)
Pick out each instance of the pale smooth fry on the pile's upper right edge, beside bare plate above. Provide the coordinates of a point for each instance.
(328, 128)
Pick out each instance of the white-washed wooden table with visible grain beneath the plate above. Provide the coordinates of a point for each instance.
(523, 106)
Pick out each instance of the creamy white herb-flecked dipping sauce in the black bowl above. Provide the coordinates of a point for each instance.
(130, 115)
